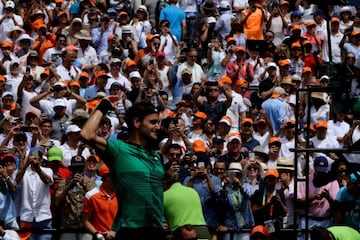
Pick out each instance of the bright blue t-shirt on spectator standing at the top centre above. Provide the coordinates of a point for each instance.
(175, 16)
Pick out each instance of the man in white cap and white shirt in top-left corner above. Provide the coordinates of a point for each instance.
(9, 19)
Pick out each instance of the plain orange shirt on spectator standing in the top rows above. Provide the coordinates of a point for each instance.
(253, 25)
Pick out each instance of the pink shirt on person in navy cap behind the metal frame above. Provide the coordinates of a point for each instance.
(318, 208)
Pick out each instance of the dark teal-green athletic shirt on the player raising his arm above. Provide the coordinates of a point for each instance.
(138, 180)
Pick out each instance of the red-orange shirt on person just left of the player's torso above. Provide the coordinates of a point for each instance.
(103, 208)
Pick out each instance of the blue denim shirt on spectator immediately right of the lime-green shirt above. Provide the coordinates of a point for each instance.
(207, 198)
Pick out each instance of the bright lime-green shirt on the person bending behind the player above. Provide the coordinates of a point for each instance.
(182, 206)
